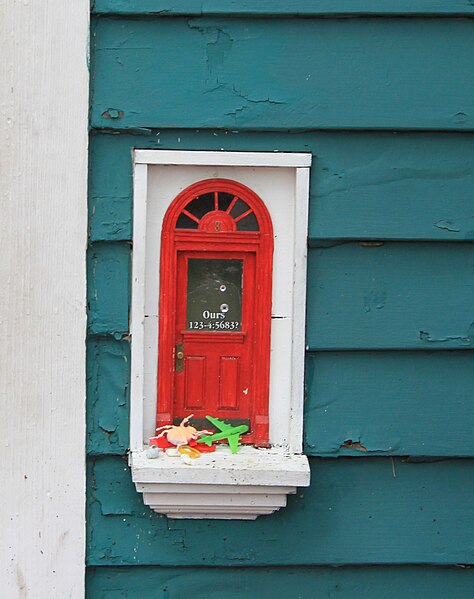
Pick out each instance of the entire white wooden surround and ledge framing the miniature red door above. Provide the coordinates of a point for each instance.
(254, 481)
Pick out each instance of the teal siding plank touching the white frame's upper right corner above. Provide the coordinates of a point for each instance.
(392, 186)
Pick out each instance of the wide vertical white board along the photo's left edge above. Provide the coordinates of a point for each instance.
(43, 226)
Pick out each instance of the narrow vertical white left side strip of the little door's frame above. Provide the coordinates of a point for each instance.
(137, 320)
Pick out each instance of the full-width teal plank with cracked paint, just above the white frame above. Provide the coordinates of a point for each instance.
(283, 73)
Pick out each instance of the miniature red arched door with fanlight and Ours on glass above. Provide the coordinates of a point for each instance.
(215, 308)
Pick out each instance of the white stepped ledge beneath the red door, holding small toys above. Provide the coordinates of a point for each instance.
(219, 485)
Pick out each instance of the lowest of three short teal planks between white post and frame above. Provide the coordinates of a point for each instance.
(108, 388)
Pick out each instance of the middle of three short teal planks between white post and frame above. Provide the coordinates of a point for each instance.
(108, 288)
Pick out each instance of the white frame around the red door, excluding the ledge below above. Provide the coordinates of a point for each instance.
(290, 221)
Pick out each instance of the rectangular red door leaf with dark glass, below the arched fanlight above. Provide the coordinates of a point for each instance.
(215, 322)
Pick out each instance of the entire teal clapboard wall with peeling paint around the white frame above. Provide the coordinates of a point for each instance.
(385, 105)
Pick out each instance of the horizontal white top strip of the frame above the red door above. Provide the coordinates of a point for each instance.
(194, 158)
